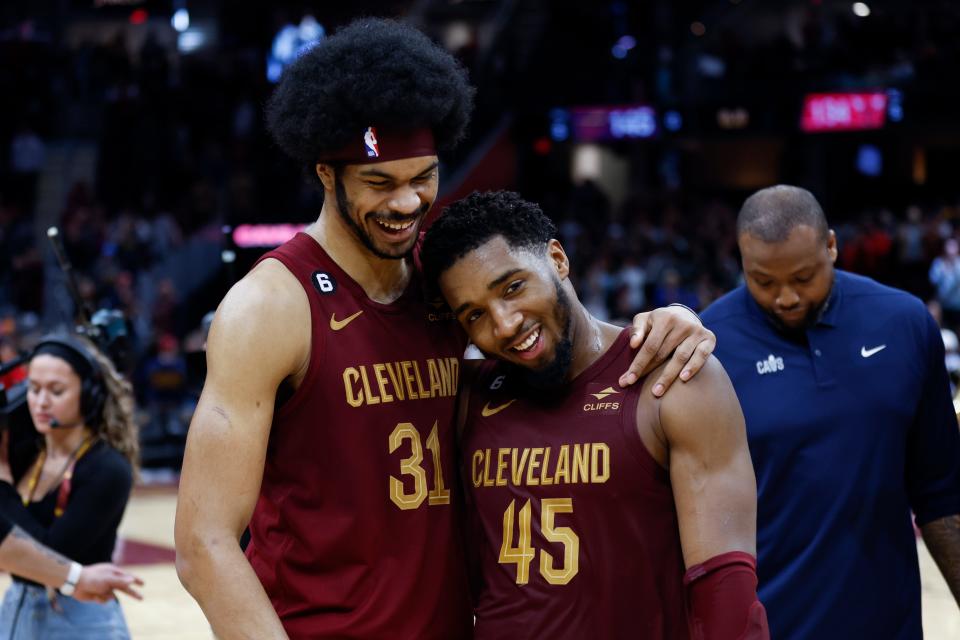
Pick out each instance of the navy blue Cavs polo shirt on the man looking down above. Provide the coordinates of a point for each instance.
(849, 428)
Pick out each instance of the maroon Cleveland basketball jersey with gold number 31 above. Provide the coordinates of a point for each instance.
(355, 533)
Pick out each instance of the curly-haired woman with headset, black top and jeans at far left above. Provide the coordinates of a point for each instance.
(74, 488)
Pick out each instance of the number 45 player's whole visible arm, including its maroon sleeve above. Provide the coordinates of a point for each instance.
(716, 497)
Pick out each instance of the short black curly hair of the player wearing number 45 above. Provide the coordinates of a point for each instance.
(469, 223)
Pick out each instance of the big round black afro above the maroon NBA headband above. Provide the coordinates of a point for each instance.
(373, 72)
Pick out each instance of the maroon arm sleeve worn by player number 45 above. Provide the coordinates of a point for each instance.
(722, 599)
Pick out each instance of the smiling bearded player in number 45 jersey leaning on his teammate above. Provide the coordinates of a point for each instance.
(598, 511)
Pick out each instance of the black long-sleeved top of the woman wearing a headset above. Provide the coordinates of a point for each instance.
(87, 530)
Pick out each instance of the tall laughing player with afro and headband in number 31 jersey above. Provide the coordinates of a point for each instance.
(326, 419)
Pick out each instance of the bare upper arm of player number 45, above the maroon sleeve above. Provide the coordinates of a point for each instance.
(710, 468)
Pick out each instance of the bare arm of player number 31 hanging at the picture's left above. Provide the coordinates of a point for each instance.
(259, 337)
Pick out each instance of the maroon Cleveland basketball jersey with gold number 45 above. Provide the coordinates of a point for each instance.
(575, 521)
